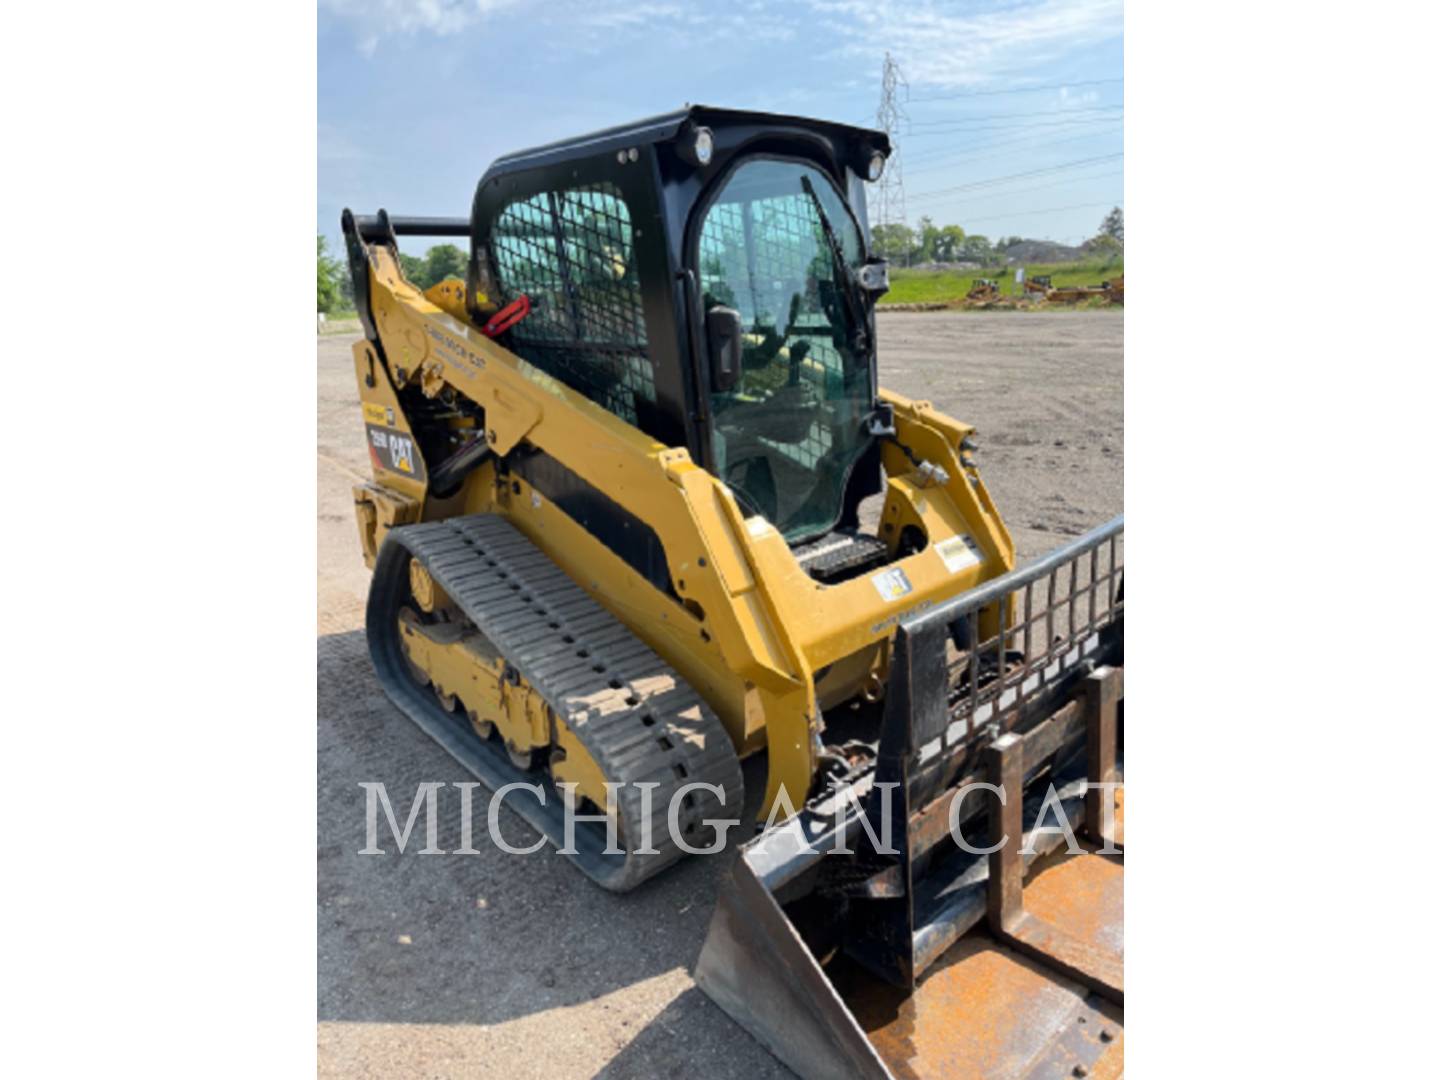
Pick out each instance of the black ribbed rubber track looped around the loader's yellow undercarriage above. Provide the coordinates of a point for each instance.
(640, 721)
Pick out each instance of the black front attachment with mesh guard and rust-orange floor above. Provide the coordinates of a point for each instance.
(914, 955)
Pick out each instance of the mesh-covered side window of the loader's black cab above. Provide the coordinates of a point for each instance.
(574, 254)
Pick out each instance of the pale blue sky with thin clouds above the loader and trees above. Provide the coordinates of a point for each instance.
(1014, 106)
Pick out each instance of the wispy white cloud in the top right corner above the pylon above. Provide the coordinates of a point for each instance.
(942, 47)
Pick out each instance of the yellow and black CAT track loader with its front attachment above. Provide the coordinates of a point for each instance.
(642, 512)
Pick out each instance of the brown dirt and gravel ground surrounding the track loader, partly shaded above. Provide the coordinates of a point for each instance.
(500, 966)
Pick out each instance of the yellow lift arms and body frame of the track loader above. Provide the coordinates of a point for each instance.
(767, 646)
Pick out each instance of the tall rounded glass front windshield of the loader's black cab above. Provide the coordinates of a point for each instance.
(788, 434)
